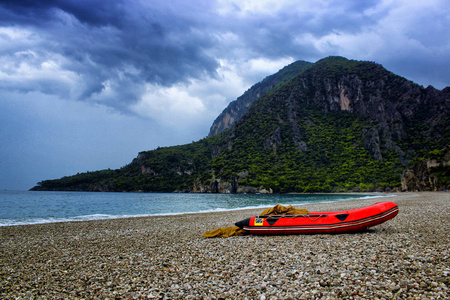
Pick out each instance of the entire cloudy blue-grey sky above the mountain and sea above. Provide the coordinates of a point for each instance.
(86, 85)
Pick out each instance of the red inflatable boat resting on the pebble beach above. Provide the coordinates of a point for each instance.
(346, 221)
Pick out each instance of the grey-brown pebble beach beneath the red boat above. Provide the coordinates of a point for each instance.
(166, 257)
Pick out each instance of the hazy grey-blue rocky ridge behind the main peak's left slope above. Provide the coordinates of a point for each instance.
(239, 107)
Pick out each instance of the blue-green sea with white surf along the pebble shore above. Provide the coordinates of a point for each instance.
(35, 207)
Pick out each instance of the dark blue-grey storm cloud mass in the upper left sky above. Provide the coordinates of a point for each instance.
(103, 40)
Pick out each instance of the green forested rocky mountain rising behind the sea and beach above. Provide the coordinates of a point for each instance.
(335, 125)
